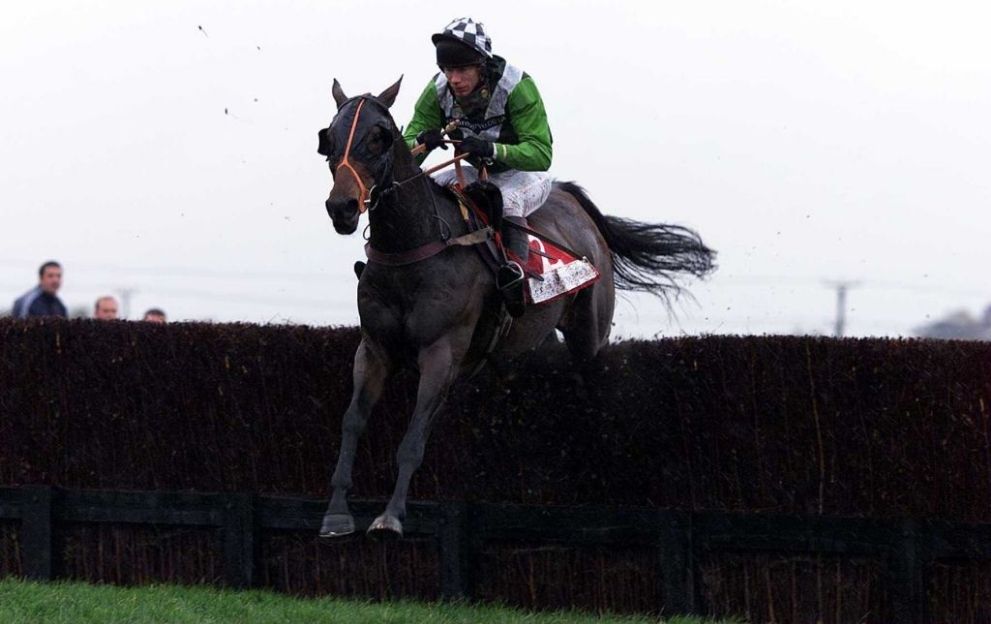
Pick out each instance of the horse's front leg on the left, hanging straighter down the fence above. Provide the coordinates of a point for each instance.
(370, 371)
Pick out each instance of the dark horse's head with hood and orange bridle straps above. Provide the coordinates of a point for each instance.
(358, 145)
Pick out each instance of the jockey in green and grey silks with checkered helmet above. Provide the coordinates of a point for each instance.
(501, 123)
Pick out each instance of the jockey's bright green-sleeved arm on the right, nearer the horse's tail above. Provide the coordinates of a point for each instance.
(533, 150)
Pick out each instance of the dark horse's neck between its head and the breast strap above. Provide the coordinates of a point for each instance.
(408, 218)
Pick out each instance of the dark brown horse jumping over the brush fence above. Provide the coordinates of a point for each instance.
(431, 305)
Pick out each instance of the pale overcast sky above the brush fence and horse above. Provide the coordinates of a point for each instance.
(169, 148)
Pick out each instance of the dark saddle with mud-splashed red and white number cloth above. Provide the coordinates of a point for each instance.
(551, 269)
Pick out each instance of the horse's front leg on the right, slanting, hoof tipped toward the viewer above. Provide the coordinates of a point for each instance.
(438, 364)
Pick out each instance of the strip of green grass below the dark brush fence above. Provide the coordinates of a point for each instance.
(24, 602)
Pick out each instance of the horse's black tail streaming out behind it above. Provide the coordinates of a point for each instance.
(647, 256)
